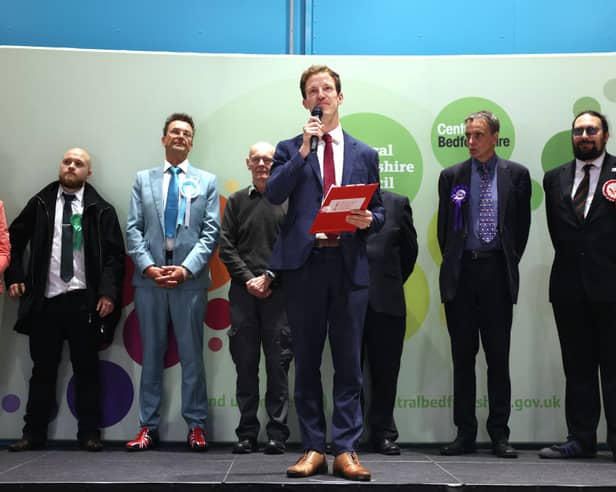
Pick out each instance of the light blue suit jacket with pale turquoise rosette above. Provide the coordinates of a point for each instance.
(145, 231)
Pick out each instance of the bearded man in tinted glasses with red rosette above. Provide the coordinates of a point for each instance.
(581, 212)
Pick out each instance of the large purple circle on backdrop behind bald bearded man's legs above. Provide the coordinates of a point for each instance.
(116, 393)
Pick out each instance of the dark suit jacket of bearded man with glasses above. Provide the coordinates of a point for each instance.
(585, 252)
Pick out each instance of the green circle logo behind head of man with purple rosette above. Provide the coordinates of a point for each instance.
(448, 133)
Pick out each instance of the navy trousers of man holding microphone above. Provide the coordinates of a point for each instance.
(321, 303)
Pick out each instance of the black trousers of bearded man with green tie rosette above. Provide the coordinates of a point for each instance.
(64, 317)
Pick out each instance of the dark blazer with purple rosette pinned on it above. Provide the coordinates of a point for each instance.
(513, 185)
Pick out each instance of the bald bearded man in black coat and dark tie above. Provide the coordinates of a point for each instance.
(72, 291)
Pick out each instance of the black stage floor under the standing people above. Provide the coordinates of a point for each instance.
(174, 468)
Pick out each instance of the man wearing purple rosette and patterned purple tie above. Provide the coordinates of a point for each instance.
(483, 225)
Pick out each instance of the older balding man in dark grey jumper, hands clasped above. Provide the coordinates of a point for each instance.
(250, 226)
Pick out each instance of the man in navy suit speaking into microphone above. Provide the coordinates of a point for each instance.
(324, 278)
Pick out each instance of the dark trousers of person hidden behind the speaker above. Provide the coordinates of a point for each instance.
(383, 343)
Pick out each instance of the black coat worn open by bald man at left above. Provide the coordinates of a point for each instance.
(103, 256)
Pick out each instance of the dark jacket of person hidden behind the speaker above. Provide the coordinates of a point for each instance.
(391, 254)
